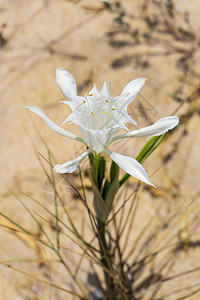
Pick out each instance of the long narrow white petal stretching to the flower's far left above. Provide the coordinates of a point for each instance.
(52, 125)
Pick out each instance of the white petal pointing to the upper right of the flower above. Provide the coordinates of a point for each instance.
(133, 88)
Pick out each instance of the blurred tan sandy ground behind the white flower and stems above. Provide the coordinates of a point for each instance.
(38, 36)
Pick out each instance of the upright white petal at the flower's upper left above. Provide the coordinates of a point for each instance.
(66, 83)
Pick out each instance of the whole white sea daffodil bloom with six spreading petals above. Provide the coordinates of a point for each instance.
(100, 117)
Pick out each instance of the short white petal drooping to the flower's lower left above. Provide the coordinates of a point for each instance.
(71, 165)
